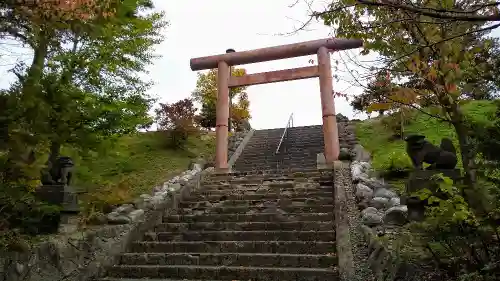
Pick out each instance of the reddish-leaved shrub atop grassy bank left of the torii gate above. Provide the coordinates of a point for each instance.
(177, 120)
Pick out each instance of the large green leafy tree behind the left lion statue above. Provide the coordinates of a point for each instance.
(90, 90)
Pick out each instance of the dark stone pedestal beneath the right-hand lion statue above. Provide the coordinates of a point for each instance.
(420, 179)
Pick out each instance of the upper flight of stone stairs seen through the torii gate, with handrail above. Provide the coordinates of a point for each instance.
(299, 149)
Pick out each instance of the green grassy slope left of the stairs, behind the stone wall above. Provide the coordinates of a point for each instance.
(139, 161)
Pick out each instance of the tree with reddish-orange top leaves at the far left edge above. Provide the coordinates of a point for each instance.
(40, 25)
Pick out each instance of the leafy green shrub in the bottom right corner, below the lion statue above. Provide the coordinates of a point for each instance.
(462, 241)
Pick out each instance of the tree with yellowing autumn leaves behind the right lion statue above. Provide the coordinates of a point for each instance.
(437, 54)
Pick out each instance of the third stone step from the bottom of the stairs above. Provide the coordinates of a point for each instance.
(286, 247)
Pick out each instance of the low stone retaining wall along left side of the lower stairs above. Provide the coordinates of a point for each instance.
(83, 255)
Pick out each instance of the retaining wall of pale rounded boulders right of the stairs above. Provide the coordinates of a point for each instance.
(382, 214)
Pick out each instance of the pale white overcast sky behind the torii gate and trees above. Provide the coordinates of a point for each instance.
(207, 27)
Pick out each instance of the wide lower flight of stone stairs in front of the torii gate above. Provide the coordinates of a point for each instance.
(277, 226)
